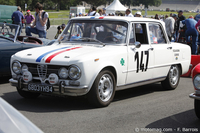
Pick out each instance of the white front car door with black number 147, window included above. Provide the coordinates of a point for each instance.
(140, 59)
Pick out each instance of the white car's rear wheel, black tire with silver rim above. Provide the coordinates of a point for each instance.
(173, 77)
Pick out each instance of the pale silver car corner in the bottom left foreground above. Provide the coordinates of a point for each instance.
(12, 121)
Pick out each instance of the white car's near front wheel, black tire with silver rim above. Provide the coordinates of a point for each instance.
(103, 89)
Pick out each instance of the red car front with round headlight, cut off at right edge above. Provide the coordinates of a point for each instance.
(196, 94)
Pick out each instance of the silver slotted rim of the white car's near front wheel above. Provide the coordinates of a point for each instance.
(105, 88)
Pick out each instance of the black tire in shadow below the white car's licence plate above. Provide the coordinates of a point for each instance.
(28, 95)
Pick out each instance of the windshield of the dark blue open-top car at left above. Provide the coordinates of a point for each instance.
(8, 30)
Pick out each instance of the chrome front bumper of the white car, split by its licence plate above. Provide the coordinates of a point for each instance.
(58, 89)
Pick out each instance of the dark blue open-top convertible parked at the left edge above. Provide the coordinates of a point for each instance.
(10, 43)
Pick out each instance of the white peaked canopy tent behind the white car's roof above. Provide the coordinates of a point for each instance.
(115, 6)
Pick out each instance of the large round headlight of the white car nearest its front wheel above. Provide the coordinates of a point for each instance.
(74, 72)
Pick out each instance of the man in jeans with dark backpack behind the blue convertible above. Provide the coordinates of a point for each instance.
(39, 25)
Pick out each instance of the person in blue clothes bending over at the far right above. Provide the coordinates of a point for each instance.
(191, 31)
